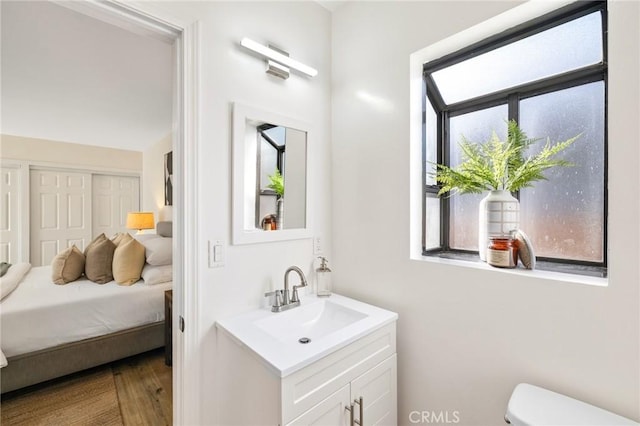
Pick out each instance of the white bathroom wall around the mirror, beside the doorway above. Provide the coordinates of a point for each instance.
(229, 74)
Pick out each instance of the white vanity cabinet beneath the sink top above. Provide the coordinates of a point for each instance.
(254, 392)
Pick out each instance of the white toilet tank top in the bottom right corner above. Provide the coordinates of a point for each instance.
(534, 406)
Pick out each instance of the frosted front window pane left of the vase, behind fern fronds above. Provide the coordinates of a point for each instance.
(476, 126)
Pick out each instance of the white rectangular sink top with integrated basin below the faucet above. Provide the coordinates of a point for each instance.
(324, 324)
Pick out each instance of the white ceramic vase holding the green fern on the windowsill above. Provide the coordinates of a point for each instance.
(499, 213)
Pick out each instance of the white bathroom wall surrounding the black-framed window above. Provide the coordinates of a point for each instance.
(466, 337)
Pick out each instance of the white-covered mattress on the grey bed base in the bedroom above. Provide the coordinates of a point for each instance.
(40, 314)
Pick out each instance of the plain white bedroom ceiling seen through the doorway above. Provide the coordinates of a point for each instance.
(72, 78)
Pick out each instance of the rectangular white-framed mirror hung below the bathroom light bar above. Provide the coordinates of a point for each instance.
(270, 176)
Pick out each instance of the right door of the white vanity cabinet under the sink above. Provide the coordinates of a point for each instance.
(378, 389)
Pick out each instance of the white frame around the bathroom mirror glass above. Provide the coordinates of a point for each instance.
(240, 235)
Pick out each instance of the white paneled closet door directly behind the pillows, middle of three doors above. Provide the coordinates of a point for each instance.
(60, 213)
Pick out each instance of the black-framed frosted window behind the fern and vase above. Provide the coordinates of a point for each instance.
(550, 76)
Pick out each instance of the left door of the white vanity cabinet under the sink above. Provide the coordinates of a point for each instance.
(331, 411)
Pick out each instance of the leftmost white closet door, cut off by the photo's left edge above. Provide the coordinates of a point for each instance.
(10, 217)
